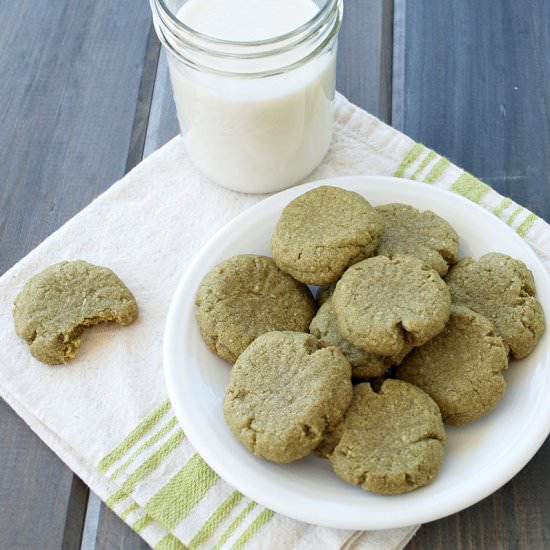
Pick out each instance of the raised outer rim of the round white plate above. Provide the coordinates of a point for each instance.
(505, 474)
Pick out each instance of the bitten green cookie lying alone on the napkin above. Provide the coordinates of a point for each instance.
(56, 305)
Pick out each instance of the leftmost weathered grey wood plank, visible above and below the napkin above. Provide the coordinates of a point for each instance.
(69, 81)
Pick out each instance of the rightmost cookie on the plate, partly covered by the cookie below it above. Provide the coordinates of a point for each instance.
(503, 290)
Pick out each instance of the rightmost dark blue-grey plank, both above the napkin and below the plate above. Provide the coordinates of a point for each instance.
(471, 80)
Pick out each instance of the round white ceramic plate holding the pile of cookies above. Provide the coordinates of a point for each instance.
(480, 457)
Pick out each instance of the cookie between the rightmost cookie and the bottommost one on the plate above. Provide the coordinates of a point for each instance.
(461, 368)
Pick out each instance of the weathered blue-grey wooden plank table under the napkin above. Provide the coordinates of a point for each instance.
(84, 96)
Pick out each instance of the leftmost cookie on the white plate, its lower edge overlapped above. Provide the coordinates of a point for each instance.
(245, 296)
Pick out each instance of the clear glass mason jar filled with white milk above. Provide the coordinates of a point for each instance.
(253, 83)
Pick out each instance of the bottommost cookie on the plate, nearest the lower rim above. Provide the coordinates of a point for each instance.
(392, 441)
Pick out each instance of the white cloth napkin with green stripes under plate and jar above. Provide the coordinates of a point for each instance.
(106, 415)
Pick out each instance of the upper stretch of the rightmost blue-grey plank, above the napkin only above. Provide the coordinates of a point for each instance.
(472, 81)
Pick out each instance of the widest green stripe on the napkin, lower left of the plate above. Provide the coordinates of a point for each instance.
(181, 494)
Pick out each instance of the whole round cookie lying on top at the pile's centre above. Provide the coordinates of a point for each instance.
(383, 305)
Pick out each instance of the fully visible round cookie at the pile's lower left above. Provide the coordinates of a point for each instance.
(286, 390)
